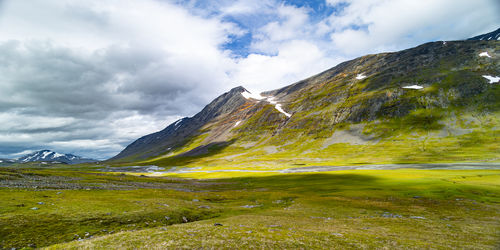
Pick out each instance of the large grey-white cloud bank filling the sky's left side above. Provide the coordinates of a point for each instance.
(76, 75)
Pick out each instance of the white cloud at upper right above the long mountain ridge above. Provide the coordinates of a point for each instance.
(370, 26)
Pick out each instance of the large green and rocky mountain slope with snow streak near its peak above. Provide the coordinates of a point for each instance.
(439, 101)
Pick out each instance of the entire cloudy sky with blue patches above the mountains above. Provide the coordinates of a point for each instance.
(89, 77)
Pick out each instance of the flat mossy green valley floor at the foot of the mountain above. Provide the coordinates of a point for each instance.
(406, 208)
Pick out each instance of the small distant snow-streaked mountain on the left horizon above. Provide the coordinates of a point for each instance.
(51, 156)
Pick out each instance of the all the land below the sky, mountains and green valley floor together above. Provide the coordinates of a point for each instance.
(396, 150)
